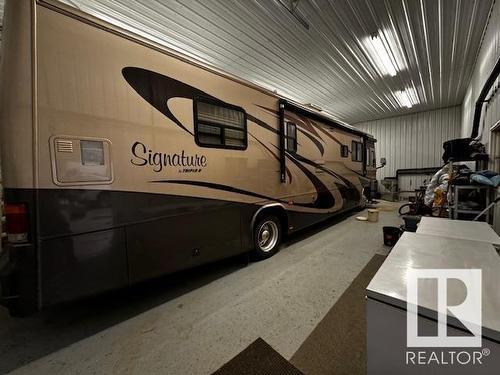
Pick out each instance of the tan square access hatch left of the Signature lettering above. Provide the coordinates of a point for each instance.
(81, 161)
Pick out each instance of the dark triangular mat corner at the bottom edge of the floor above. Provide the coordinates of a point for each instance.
(258, 358)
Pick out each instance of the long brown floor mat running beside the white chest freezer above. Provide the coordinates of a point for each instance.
(338, 343)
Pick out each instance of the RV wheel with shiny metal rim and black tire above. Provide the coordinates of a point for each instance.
(266, 237)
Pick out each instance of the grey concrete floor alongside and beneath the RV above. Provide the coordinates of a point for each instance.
(194, 322)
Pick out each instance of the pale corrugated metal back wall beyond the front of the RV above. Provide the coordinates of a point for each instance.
(415, 140)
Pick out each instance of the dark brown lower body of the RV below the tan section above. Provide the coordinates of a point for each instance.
(85, 242)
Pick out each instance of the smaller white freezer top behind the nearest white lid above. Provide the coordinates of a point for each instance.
(467, 230)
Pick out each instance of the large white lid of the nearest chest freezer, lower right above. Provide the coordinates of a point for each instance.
(415, 250)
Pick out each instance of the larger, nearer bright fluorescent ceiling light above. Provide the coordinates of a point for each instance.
(379, 52)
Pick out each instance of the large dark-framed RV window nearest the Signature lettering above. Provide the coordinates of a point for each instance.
(220, 125)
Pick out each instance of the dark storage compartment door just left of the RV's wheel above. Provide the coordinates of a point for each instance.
(178, 242)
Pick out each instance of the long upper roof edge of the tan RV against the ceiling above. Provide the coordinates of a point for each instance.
(85, 17)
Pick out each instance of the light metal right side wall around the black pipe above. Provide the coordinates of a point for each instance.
(487, 57)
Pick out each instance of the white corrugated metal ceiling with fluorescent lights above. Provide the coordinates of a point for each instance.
(432, 43)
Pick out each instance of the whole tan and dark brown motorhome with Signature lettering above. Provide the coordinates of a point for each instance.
(123, 161)
